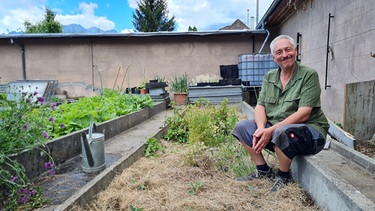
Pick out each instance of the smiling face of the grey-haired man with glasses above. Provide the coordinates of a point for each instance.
(284, 54)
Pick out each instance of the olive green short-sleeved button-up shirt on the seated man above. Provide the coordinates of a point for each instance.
(302, 90)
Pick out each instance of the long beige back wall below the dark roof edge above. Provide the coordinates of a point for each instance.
(77, 63)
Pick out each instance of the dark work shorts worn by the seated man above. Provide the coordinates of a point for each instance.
(292, 139)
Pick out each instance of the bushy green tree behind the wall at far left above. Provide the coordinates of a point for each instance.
(48, 25)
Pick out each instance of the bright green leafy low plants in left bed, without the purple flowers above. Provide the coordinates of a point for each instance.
(70, 117)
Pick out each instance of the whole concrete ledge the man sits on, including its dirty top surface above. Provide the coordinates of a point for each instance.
(328, 189)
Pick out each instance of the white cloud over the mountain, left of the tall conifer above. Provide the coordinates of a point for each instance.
(87, 18)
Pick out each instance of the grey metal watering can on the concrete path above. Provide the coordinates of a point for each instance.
(93, 156)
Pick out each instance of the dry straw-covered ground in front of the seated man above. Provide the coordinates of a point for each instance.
(166, 183)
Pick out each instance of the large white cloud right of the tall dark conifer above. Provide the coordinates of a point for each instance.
(211, 14)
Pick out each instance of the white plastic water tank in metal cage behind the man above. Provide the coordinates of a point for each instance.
(253, 67)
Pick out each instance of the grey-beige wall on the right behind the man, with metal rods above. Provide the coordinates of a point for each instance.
(352, 36)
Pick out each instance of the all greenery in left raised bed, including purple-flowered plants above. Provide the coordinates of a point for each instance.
(30, 122)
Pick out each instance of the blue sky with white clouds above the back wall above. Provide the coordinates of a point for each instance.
(117, 14)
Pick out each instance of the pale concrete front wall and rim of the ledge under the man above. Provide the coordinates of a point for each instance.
(327, 188)
